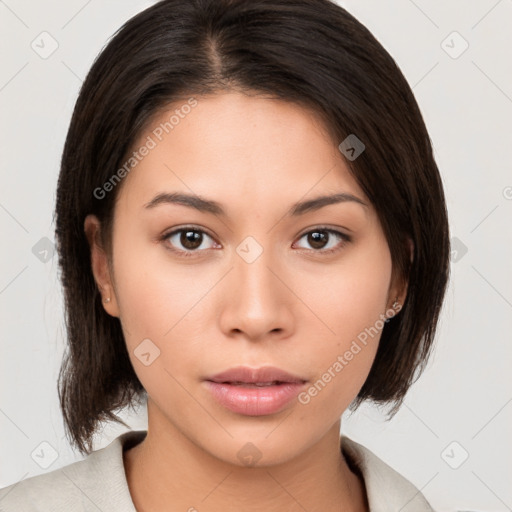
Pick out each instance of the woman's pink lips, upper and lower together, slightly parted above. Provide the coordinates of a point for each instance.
(236, 389)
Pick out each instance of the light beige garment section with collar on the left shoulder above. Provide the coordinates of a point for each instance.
(96, 483)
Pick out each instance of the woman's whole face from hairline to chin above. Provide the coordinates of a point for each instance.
(252, 281)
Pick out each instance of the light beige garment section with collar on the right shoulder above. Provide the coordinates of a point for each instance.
(387, 490)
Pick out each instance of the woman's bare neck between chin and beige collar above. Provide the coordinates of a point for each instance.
(167, 471)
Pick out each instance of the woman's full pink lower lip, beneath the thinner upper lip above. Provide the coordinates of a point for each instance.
(254, 401)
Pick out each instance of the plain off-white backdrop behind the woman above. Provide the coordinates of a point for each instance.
(452, 436)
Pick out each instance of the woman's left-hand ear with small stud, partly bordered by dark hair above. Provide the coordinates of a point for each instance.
(99, 264)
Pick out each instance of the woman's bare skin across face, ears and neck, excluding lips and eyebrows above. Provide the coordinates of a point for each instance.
(293, 307)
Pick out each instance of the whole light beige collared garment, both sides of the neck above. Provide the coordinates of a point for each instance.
(98, 483)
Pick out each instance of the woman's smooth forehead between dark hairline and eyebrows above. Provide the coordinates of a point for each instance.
(237, 149)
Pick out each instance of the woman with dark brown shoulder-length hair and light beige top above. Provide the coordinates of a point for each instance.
(253, 237)
